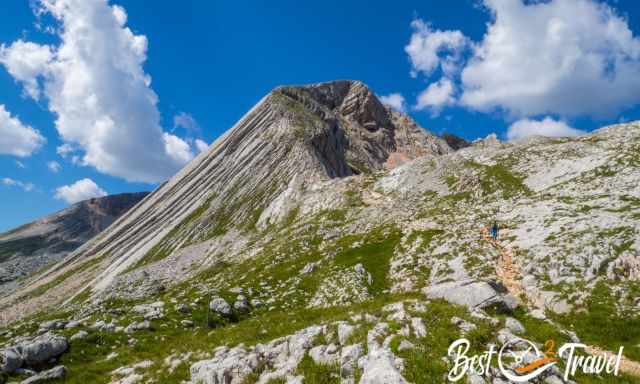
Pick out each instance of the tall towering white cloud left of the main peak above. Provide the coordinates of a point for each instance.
(96, 86)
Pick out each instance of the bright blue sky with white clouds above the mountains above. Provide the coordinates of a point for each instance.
(211, 61)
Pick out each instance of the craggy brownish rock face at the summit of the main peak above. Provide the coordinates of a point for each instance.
(367, 135)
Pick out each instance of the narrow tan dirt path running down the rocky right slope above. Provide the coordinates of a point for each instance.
(509, 274)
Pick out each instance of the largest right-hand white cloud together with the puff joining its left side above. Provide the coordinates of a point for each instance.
(562, 57)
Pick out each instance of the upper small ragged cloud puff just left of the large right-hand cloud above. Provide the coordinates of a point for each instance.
(429, 49)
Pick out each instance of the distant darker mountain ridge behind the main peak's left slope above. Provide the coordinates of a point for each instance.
(33, 245)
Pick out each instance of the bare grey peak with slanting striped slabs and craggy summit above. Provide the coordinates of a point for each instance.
(301, 134)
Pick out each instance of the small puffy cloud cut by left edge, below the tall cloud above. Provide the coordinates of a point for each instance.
(17, 138)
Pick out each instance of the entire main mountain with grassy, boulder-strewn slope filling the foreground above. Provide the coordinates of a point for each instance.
(328, 239)
